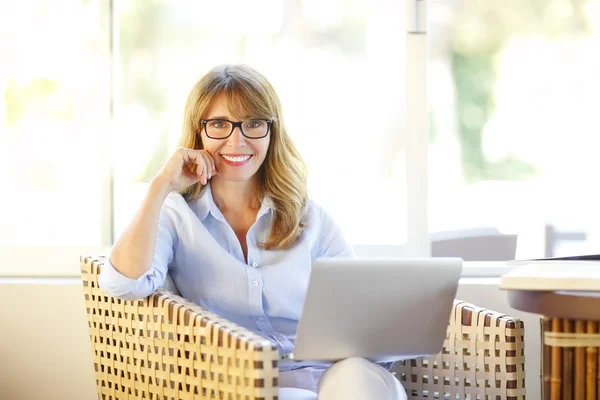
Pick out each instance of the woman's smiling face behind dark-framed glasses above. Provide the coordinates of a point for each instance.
(237, 158)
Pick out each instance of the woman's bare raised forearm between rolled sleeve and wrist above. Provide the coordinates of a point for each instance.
(133, 252)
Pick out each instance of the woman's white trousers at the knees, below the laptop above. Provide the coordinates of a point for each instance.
(350, 379)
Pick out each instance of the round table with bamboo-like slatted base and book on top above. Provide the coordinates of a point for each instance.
(567, 295)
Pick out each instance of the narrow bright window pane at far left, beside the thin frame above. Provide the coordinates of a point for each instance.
(54, 79)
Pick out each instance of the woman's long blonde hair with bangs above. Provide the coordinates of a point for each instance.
(282, 176)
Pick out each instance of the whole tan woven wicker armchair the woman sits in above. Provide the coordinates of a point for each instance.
(164, 347)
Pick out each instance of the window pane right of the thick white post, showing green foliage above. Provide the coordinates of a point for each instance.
(515, 117)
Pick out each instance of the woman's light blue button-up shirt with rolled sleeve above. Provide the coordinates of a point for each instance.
(200, 250)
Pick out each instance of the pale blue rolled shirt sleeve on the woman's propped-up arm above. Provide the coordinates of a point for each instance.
(118, 285)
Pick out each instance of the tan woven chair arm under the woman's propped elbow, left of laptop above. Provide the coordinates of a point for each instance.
(164, 345)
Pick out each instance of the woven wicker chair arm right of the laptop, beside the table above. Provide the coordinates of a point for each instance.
(482, 358)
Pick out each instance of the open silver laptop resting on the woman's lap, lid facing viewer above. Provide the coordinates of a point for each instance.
(378, 309)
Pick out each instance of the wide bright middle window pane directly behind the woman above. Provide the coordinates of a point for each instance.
(337, 66)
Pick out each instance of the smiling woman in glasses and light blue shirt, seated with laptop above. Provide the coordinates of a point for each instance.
(228, 216)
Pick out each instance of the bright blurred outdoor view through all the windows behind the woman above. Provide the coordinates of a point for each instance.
(92, 95)
